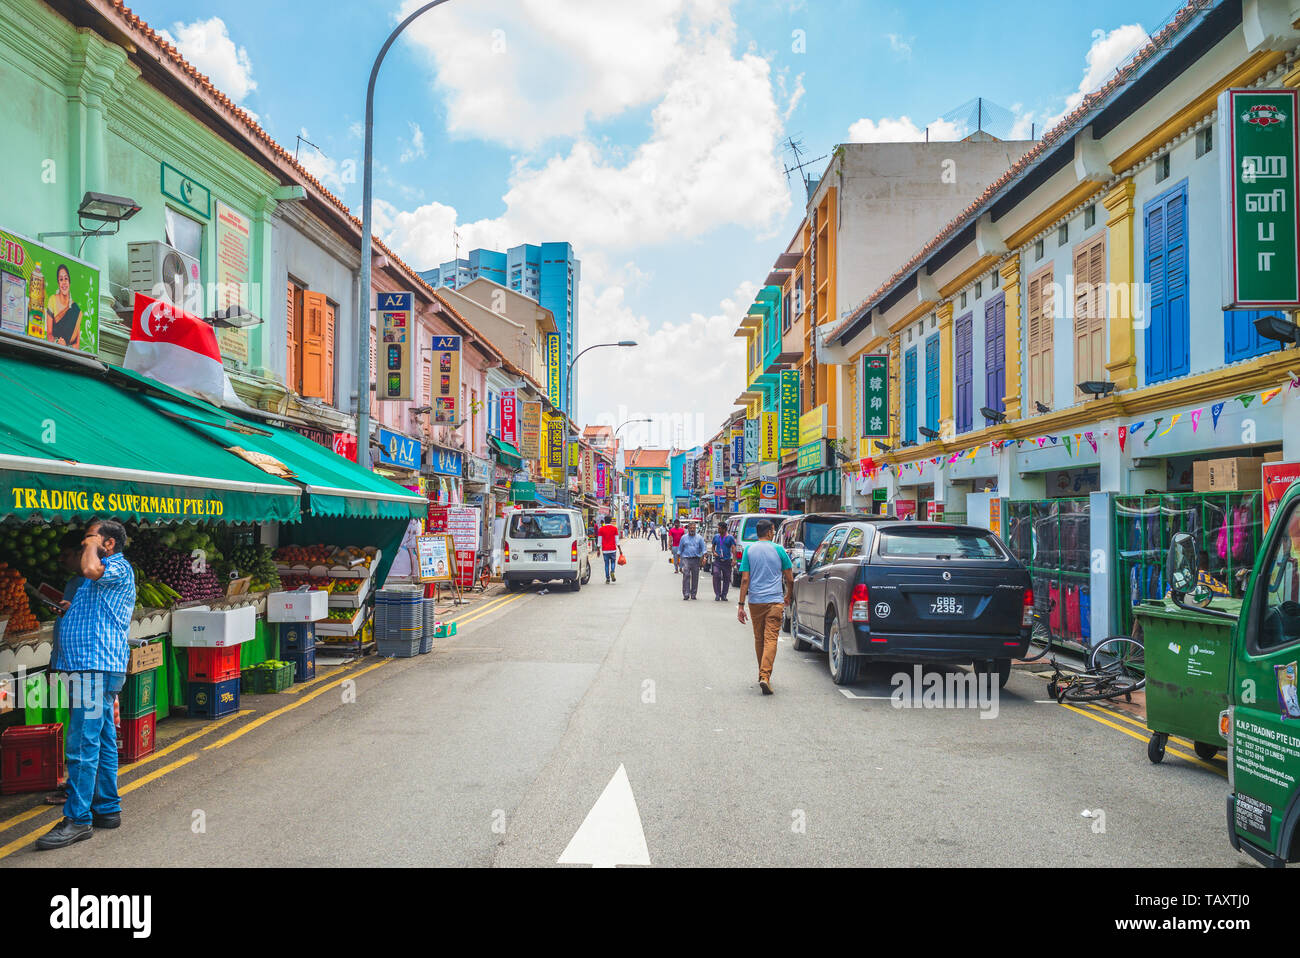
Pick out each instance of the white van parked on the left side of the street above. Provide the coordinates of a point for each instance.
(543, 545)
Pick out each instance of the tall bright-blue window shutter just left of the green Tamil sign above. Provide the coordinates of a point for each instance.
(1165, 254)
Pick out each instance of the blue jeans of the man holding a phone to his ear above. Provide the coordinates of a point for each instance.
(93, 747)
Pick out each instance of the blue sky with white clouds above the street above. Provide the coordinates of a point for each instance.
(655, 137)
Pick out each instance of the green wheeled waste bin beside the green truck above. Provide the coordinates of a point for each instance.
(1188, 660)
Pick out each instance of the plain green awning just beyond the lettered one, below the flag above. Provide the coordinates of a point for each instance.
(336, 487)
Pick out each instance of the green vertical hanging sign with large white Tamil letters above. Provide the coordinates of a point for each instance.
(1262, 224)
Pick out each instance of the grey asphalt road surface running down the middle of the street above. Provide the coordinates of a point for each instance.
(496, 749)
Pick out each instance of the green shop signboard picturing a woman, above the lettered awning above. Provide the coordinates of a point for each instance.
(49, 296)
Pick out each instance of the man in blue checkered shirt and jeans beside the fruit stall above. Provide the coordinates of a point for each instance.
(93, 649)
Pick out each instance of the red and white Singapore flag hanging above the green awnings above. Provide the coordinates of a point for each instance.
(179, 350)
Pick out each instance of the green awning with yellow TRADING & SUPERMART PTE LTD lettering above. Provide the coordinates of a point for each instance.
(75, 445)
